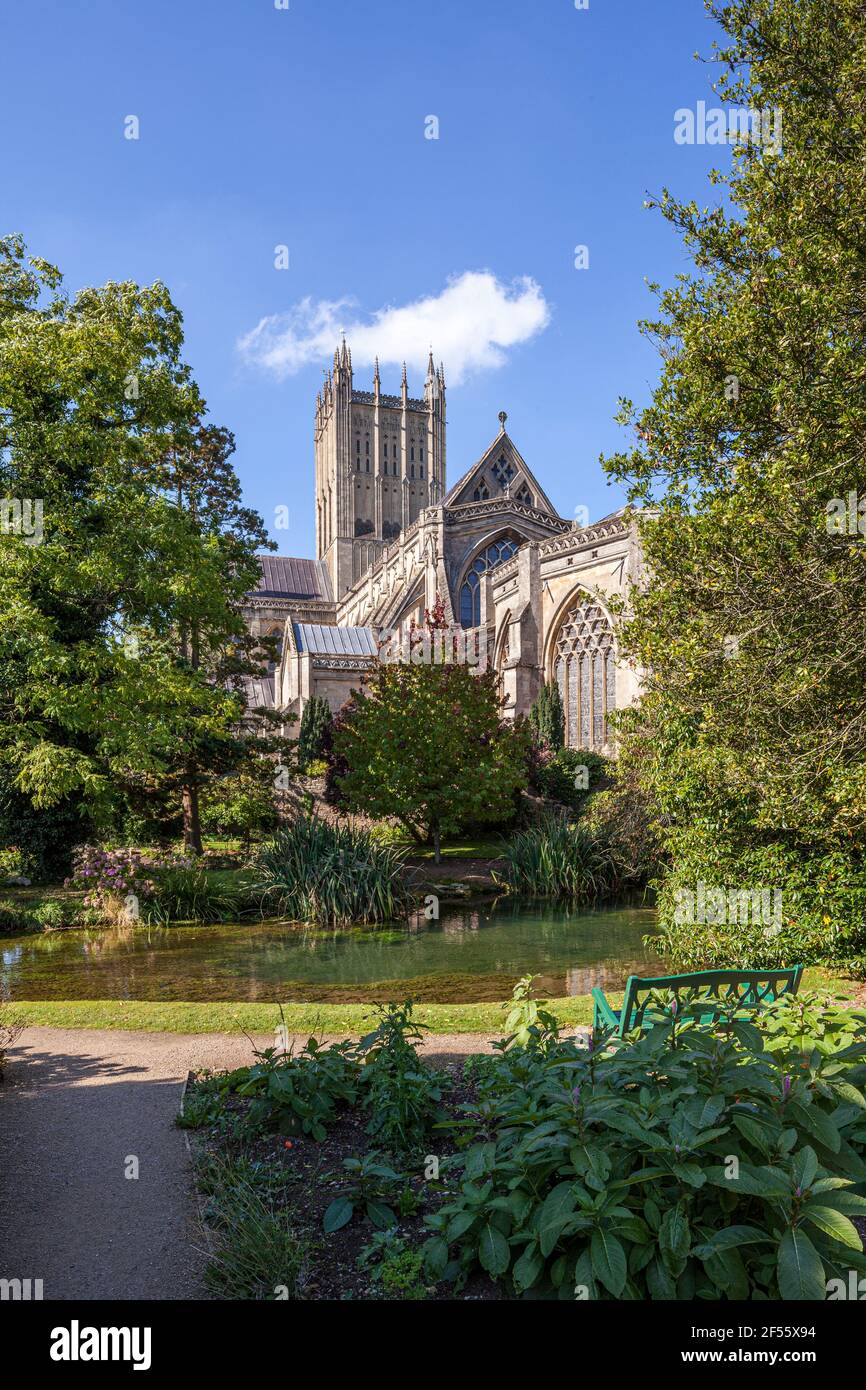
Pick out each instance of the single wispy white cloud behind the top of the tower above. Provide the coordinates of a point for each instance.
(471, 326)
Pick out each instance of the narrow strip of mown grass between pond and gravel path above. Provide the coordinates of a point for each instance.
(319, 1018)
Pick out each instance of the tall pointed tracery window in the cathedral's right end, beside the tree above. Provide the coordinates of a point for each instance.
(585, 669)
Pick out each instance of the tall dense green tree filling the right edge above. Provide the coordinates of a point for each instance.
(751, 625)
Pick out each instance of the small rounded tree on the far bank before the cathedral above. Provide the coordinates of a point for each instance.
(427, 744)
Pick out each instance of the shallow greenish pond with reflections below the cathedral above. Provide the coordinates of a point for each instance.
(471, 956)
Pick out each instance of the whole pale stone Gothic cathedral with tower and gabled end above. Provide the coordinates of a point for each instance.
(529, 589)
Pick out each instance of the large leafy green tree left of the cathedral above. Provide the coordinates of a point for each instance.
(122, 640)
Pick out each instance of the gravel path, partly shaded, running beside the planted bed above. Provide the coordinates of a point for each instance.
(74, 1109)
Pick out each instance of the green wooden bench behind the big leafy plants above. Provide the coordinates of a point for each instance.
(749, 990)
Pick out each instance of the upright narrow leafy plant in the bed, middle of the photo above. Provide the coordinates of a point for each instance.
(401, 1092)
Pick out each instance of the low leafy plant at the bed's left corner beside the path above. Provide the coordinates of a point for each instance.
(297, 1093)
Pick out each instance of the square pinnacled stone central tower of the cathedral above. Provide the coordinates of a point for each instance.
(380, 461)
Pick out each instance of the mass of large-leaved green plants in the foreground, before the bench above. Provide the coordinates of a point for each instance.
(693, 1163)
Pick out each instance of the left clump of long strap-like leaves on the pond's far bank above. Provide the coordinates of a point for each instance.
(330, 875)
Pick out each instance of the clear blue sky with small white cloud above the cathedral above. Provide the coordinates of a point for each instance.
(307, 129)
